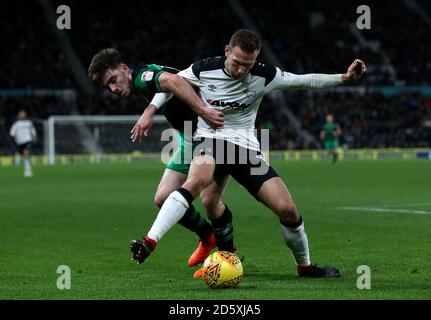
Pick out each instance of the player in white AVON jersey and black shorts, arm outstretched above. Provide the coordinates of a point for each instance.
(236, 84)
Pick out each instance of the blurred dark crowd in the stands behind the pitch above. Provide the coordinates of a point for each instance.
(306, 36)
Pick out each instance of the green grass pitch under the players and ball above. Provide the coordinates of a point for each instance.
(84, 216)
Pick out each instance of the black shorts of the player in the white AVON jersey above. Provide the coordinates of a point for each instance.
(246, 166)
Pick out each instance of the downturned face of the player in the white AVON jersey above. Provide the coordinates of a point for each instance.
(238, 63)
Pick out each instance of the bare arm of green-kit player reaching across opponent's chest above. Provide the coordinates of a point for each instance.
(182, 89)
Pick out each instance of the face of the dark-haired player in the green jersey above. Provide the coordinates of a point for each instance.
(118, 81)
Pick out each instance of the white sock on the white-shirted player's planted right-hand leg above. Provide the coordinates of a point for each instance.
(296, 240)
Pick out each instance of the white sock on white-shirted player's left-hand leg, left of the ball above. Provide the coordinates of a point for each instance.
(173, 209)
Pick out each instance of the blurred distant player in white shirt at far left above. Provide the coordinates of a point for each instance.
(24, 134)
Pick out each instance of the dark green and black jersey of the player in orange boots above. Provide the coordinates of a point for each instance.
(145, 84)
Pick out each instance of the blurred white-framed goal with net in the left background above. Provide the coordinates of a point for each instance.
(98, 135)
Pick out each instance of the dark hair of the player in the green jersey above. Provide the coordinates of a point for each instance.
(105, 59)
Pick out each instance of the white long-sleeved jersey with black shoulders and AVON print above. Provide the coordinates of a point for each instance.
(239, 99)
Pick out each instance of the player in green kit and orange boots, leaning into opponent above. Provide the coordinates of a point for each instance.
(108, 69)
